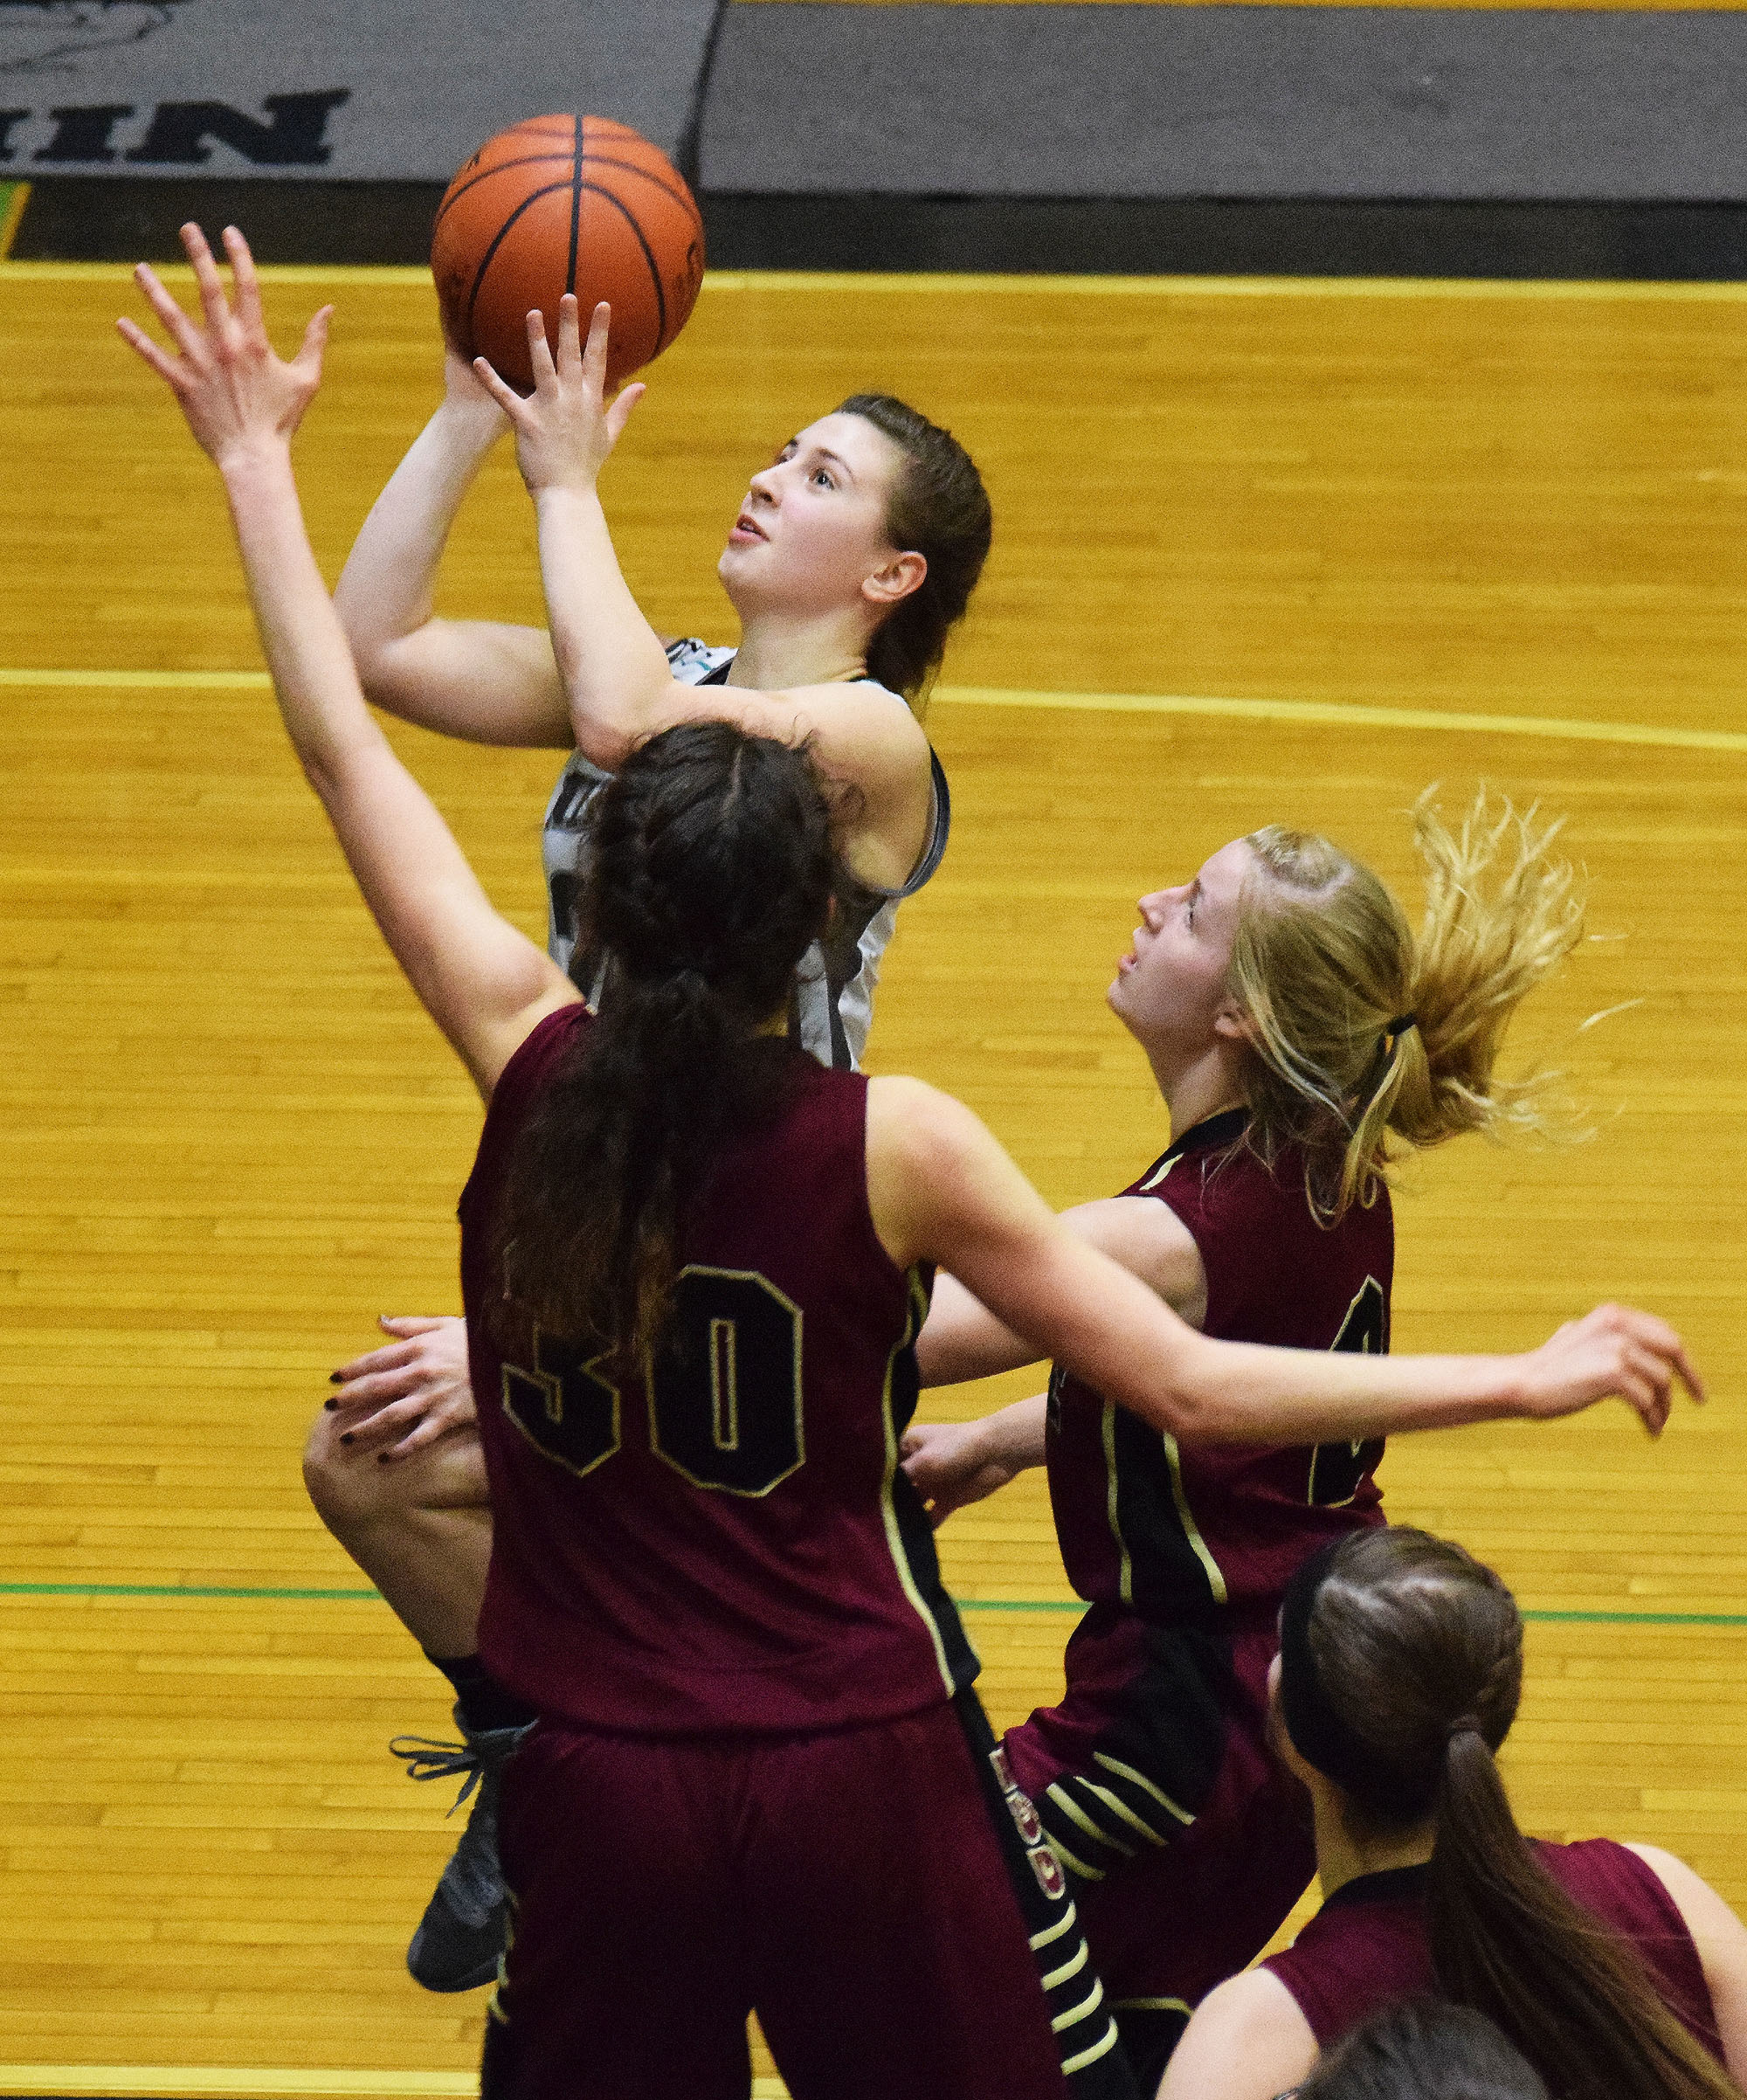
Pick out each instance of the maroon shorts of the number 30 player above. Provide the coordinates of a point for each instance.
(847, 1887)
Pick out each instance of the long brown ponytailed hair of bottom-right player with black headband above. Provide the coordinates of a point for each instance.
(1418, 1658)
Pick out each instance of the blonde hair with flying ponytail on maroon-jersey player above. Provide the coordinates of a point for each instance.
(1362, 1034)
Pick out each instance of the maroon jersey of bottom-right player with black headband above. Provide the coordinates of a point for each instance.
(1368, 1946)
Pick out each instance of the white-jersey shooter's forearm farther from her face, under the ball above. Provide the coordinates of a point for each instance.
(387, 589)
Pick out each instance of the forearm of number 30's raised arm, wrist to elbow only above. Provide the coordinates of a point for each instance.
(314, 675)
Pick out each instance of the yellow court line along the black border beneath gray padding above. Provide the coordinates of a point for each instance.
(881, 285)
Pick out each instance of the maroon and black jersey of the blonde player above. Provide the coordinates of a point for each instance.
(1181, 1532)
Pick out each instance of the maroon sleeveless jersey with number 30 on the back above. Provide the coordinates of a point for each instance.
(725, 1545)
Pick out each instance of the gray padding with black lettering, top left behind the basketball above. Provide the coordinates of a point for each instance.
(425, 83)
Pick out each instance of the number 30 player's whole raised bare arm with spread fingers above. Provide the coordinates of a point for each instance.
(482, 982)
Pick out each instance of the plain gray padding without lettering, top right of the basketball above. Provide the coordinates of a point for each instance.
(1229, 102)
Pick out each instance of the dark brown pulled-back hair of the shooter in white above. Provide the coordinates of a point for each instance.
(938, 509)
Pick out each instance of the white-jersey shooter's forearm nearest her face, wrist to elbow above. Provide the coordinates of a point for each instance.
(610, 658)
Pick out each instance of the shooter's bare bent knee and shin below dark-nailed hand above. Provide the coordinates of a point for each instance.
(421, 1530)
